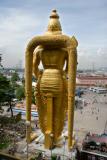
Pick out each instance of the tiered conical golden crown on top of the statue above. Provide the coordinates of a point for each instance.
(54, 26)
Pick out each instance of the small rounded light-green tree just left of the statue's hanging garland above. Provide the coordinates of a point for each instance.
(20, 93)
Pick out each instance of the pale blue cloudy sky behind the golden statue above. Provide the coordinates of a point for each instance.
(20, 20)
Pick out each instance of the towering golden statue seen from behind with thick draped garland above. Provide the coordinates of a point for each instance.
(55, 90)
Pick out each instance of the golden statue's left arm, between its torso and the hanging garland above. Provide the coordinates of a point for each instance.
(36, 62)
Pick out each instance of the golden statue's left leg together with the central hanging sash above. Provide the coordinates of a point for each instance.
(45, 111)
